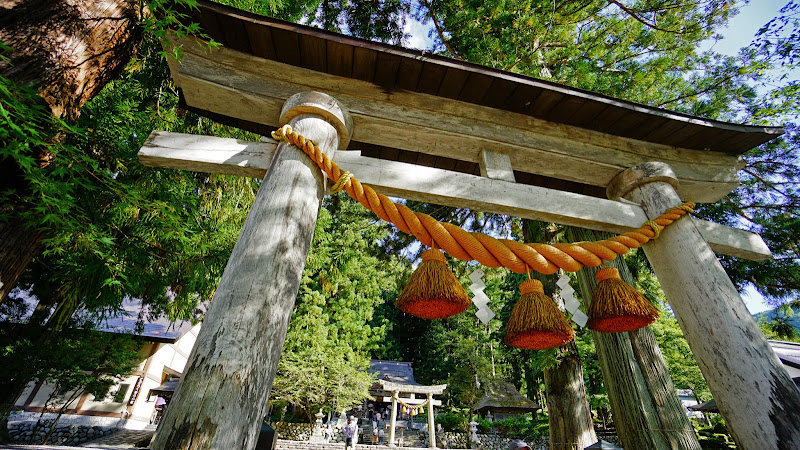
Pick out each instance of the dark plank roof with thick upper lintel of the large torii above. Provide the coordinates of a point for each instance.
(415, 107)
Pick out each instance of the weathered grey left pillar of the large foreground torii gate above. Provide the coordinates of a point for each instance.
(222, 398)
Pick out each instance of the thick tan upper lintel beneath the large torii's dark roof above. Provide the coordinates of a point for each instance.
(242, 86)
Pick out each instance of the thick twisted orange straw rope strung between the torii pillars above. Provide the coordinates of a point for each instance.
(468, 246)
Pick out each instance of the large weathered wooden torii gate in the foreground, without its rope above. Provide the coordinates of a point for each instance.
(407, 107)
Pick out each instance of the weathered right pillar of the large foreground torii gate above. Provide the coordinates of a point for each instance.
(754, 392)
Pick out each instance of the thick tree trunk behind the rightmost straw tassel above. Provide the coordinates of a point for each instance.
(647, 411)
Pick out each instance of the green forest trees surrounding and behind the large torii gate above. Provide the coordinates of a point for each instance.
(96, 227)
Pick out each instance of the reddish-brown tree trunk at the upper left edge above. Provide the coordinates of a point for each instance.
(67, 50)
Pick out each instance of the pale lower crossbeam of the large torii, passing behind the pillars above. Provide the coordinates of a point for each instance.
(229, 156)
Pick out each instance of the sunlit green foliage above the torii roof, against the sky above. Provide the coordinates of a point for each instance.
(629, 51)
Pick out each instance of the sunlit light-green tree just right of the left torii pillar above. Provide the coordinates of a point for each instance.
(333, 326)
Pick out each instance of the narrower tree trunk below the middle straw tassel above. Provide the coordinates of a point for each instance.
(570, 419)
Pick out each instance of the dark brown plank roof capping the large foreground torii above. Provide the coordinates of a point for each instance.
(394, 67)
